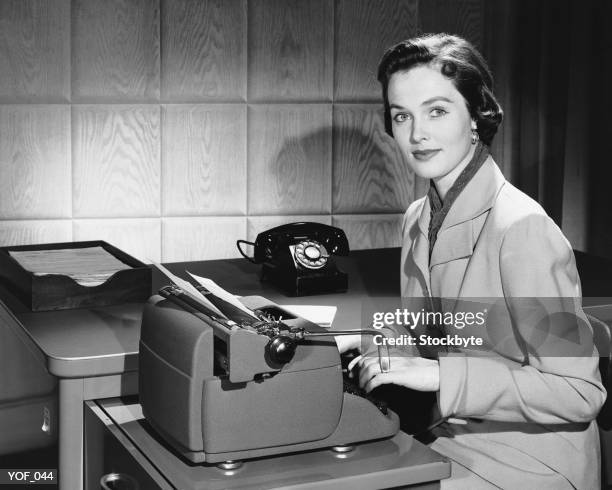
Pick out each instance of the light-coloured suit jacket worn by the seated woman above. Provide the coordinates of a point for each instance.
(530, 418)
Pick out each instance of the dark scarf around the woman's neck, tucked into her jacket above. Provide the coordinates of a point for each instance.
(440, 209)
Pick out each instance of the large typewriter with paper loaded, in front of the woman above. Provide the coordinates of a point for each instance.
(223, 389)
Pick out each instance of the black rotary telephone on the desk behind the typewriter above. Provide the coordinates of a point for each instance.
(298, 257)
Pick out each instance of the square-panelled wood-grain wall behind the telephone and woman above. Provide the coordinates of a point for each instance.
(171, 128)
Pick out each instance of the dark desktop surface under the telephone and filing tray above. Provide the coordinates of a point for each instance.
(104, 340)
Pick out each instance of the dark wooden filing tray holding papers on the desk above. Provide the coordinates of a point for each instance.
(58, 292)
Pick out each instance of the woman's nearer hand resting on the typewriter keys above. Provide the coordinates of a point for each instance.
(416, 373)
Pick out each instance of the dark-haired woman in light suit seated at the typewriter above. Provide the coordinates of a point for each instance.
(517, 418)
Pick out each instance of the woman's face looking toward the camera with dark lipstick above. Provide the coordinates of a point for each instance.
(431, 124)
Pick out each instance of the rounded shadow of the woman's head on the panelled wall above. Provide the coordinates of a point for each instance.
(339, 170)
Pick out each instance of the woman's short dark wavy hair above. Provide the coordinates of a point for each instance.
(460, 62)
